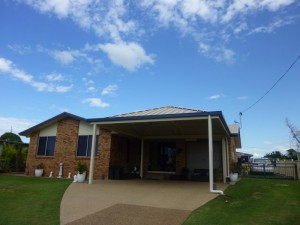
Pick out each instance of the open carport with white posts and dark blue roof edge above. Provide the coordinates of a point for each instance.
(170, 123)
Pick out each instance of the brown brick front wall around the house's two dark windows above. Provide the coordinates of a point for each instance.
(65, 152)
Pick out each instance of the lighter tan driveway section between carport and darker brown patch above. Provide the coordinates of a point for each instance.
(81, 199)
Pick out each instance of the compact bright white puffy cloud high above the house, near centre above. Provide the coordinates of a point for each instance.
(128, 55)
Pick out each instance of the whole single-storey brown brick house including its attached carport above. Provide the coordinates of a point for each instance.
(160, 143)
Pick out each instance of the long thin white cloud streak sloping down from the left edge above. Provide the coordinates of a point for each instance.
(7, 66)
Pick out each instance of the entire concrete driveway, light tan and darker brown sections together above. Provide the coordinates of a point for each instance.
(108, 197)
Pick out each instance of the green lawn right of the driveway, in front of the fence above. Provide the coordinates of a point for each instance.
(252, 201)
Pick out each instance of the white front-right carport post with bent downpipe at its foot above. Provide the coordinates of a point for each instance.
(210, 157)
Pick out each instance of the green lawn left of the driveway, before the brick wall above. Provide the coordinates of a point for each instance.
(30, 200)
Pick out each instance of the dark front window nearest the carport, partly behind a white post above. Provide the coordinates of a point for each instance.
(84, 145)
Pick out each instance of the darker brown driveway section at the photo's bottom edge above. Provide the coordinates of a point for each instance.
(124, 214)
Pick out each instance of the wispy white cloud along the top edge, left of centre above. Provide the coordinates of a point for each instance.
(106, 18)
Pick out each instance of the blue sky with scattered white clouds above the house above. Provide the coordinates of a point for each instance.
(97, 58)
